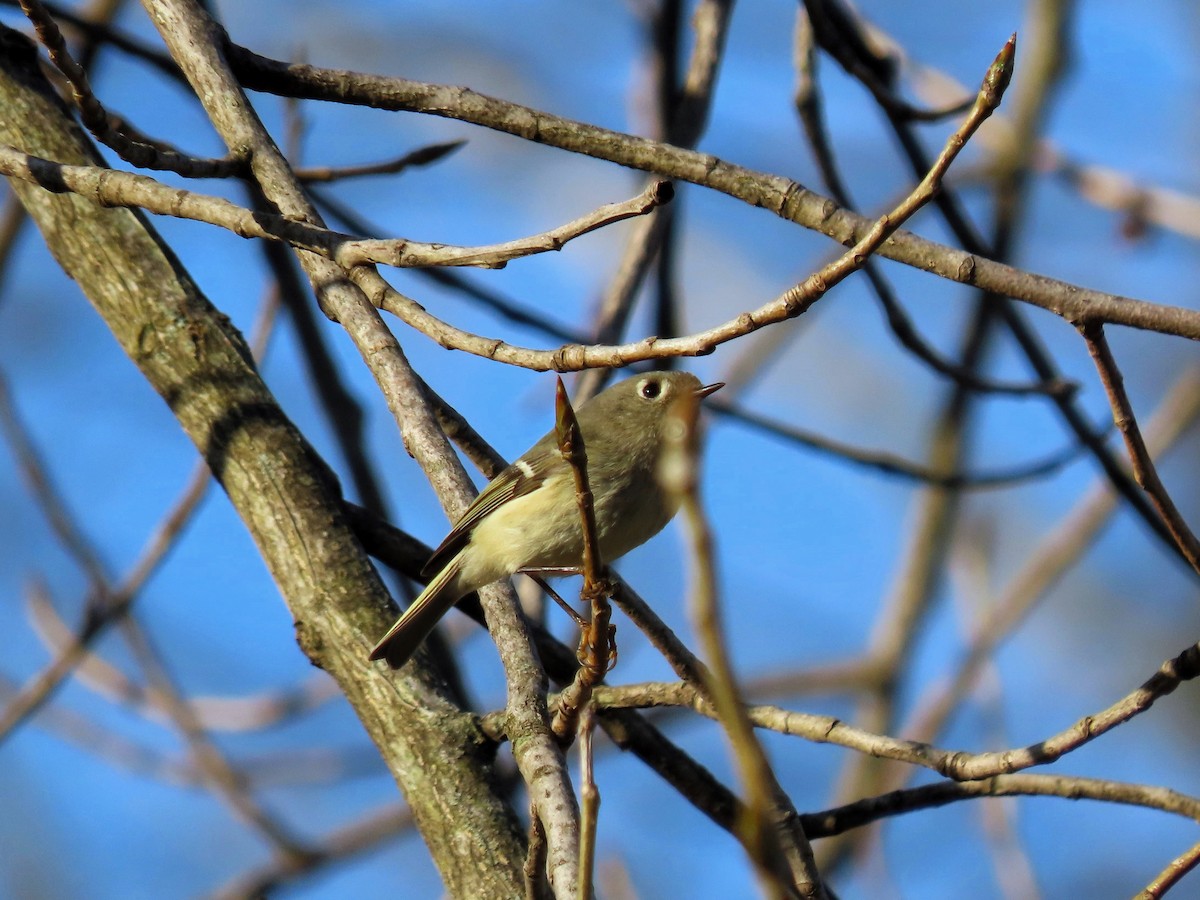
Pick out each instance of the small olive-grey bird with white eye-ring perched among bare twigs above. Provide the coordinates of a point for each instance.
(527, 518)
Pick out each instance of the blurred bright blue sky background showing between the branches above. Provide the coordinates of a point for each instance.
(808, 544)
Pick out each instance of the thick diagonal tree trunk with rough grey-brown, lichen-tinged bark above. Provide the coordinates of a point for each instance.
(285, 494)
